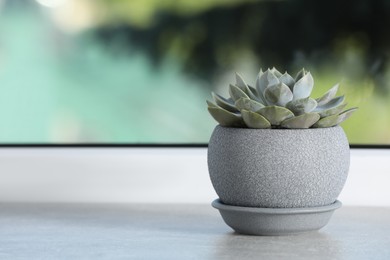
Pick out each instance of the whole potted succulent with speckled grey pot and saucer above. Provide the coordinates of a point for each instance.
(278, 158)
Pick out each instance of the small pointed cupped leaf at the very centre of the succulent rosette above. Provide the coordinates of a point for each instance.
(278, 94)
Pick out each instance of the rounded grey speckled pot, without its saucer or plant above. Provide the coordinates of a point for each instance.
(278, 168)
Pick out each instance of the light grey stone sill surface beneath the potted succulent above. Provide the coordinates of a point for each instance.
(95, 231)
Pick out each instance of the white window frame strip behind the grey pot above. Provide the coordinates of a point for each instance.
(151, 175)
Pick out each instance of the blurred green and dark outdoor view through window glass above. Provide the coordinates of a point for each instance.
(139, 71)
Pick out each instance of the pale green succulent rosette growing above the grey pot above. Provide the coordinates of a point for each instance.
(278, 101)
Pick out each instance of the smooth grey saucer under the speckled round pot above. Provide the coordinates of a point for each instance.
(275, 221)
